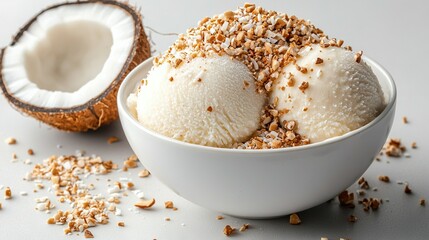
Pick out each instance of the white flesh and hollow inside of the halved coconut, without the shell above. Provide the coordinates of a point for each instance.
(69, 55)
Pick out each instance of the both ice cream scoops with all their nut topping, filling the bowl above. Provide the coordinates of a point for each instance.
(256, 79)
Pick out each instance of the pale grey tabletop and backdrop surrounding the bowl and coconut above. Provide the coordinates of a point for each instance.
(392, 32)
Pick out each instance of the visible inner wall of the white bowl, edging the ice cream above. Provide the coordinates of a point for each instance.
(131, 82)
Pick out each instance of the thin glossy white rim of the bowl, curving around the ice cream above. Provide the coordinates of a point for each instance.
(392, 94)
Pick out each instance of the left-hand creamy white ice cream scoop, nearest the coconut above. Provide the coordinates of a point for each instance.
(208, 101)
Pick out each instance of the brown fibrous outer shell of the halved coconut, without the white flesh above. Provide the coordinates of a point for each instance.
(100, 110)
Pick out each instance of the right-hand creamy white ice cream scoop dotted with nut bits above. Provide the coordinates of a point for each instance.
(328, 93)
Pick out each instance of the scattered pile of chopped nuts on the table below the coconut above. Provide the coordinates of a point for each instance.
(64, 172)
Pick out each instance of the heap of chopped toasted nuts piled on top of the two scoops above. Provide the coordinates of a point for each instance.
(238, 33)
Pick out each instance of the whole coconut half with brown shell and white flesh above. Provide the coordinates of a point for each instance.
(64, 67)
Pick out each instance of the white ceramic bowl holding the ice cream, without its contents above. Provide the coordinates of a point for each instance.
(258, 183)
